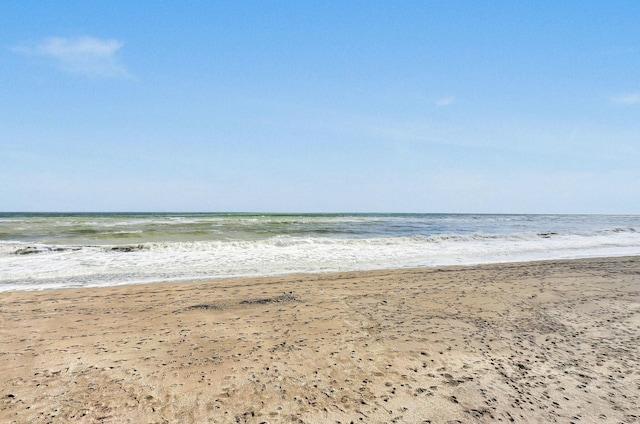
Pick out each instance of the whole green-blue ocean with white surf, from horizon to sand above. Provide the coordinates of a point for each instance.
(53, 251)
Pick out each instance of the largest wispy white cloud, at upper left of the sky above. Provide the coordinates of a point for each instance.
(86, 56)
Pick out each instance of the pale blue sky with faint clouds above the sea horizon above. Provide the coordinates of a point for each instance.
(495, 107)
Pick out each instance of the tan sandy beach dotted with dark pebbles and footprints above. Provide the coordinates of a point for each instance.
(540, 342)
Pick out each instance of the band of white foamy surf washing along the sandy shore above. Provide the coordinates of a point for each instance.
(28, 266)
